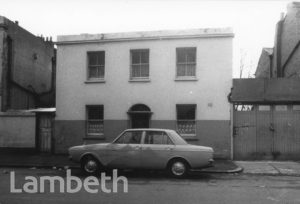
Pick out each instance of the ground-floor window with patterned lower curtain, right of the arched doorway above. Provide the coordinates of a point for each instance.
(186, 119)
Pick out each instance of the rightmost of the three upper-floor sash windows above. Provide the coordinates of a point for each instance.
(186, 62)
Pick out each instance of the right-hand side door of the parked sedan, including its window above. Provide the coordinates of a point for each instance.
(156, 150)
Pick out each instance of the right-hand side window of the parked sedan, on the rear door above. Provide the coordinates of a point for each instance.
(157, 137)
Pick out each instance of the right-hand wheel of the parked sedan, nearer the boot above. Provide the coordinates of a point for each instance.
(178, 168)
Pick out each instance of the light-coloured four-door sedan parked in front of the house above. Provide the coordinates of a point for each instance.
(143, 149)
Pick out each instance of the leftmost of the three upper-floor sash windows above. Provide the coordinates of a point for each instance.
(96, 65)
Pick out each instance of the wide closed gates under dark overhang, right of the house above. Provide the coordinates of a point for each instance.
(266, 132)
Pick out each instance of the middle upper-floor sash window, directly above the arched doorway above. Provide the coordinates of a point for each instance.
(139, 64)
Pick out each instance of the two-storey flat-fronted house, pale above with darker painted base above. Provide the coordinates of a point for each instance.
(161, 79)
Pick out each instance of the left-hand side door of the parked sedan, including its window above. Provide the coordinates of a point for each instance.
(125, 151)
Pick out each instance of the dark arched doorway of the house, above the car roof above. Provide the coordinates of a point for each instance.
(140, 116)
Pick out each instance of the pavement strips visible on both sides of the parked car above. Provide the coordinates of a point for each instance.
(34, 160)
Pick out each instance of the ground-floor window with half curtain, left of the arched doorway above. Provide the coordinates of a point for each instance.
(94, 120)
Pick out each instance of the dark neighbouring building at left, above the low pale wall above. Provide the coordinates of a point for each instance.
(27, 68)
